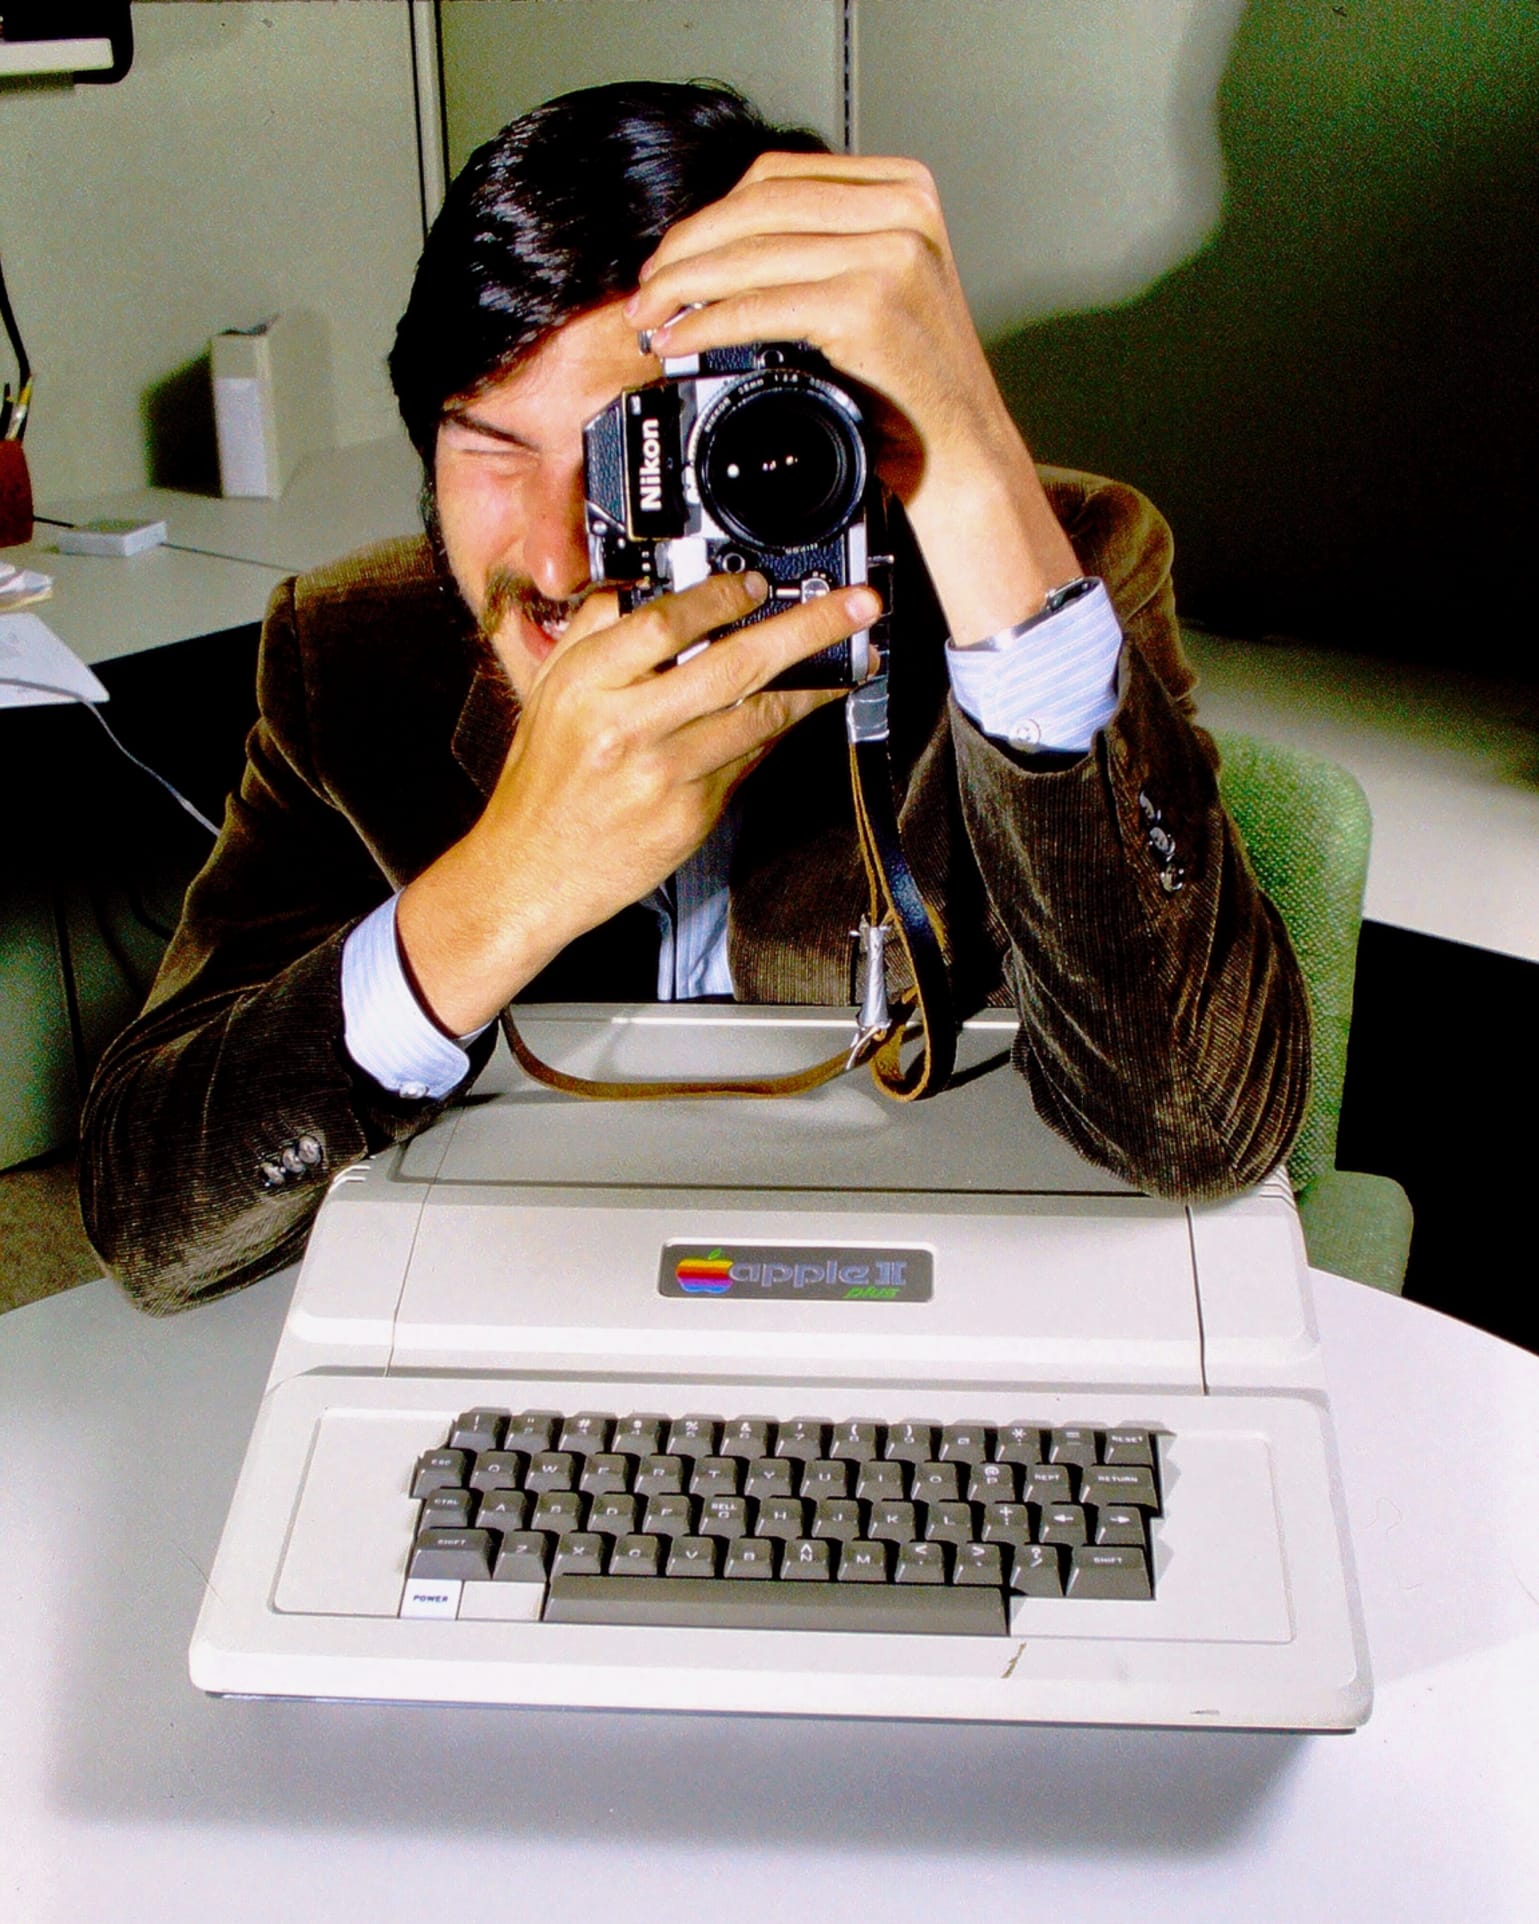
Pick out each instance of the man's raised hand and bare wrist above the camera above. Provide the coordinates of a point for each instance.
(851, 255)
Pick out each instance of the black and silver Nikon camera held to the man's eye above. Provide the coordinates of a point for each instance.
(751, 457)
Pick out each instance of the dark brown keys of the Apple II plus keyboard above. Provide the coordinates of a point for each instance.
(753, 1523)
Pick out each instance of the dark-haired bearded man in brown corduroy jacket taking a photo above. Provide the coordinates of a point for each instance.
(472, 780)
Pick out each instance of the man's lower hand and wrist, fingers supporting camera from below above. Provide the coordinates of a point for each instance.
(618, 771)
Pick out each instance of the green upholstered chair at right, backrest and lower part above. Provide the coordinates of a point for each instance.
(1307, 828)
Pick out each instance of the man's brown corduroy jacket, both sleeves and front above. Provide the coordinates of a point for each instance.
(1165, 1021)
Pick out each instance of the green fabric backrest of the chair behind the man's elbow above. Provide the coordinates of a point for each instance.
(1307, 828)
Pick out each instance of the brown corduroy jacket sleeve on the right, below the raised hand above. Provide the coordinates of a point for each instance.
(1165, 1015)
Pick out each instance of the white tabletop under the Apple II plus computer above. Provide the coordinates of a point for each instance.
(128, 1796)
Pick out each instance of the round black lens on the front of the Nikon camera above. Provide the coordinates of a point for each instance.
(780, 463)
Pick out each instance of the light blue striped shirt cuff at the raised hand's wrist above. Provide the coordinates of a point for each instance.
(1051, 688)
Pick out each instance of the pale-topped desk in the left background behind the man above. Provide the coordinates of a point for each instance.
(99, 857)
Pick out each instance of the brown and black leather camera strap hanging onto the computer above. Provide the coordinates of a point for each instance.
(896, 909)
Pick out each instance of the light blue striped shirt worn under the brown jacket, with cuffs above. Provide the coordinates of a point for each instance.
(1053, 688)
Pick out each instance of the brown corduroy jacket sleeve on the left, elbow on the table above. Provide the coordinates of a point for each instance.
(240, 1057)
